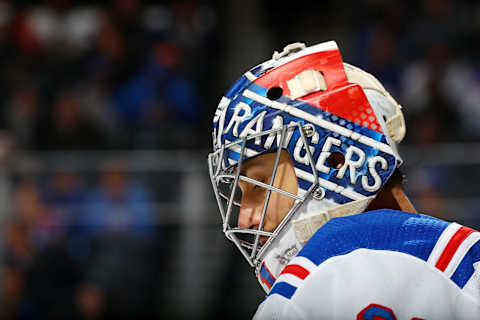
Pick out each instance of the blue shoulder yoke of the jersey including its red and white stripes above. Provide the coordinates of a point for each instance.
(449, 247)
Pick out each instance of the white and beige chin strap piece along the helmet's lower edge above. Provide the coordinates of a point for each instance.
(306, 221)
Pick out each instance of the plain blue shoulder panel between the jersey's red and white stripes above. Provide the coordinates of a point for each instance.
(411, 233)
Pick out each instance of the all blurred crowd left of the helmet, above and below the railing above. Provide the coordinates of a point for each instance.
(83, 75)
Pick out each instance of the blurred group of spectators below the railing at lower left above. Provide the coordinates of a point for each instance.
(67, 247)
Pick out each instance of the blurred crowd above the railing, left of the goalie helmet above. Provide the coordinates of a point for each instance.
(83, 76)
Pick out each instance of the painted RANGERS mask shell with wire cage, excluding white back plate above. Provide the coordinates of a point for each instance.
(337, 119)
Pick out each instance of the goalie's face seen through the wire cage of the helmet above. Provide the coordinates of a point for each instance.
(253, 196)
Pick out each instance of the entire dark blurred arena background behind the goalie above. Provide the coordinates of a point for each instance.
(106, 211)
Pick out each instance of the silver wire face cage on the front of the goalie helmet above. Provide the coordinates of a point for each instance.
(225, 181)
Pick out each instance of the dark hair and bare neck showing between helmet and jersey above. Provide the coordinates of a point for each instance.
(392, 195)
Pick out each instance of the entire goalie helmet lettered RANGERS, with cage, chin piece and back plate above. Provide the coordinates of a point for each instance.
(306, 101)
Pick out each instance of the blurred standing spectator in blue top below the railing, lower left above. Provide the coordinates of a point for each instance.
(119, 221)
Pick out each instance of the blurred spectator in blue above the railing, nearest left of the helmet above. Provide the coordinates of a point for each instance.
(159, 105)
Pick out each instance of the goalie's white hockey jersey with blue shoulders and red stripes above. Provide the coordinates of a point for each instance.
(382, 264)
